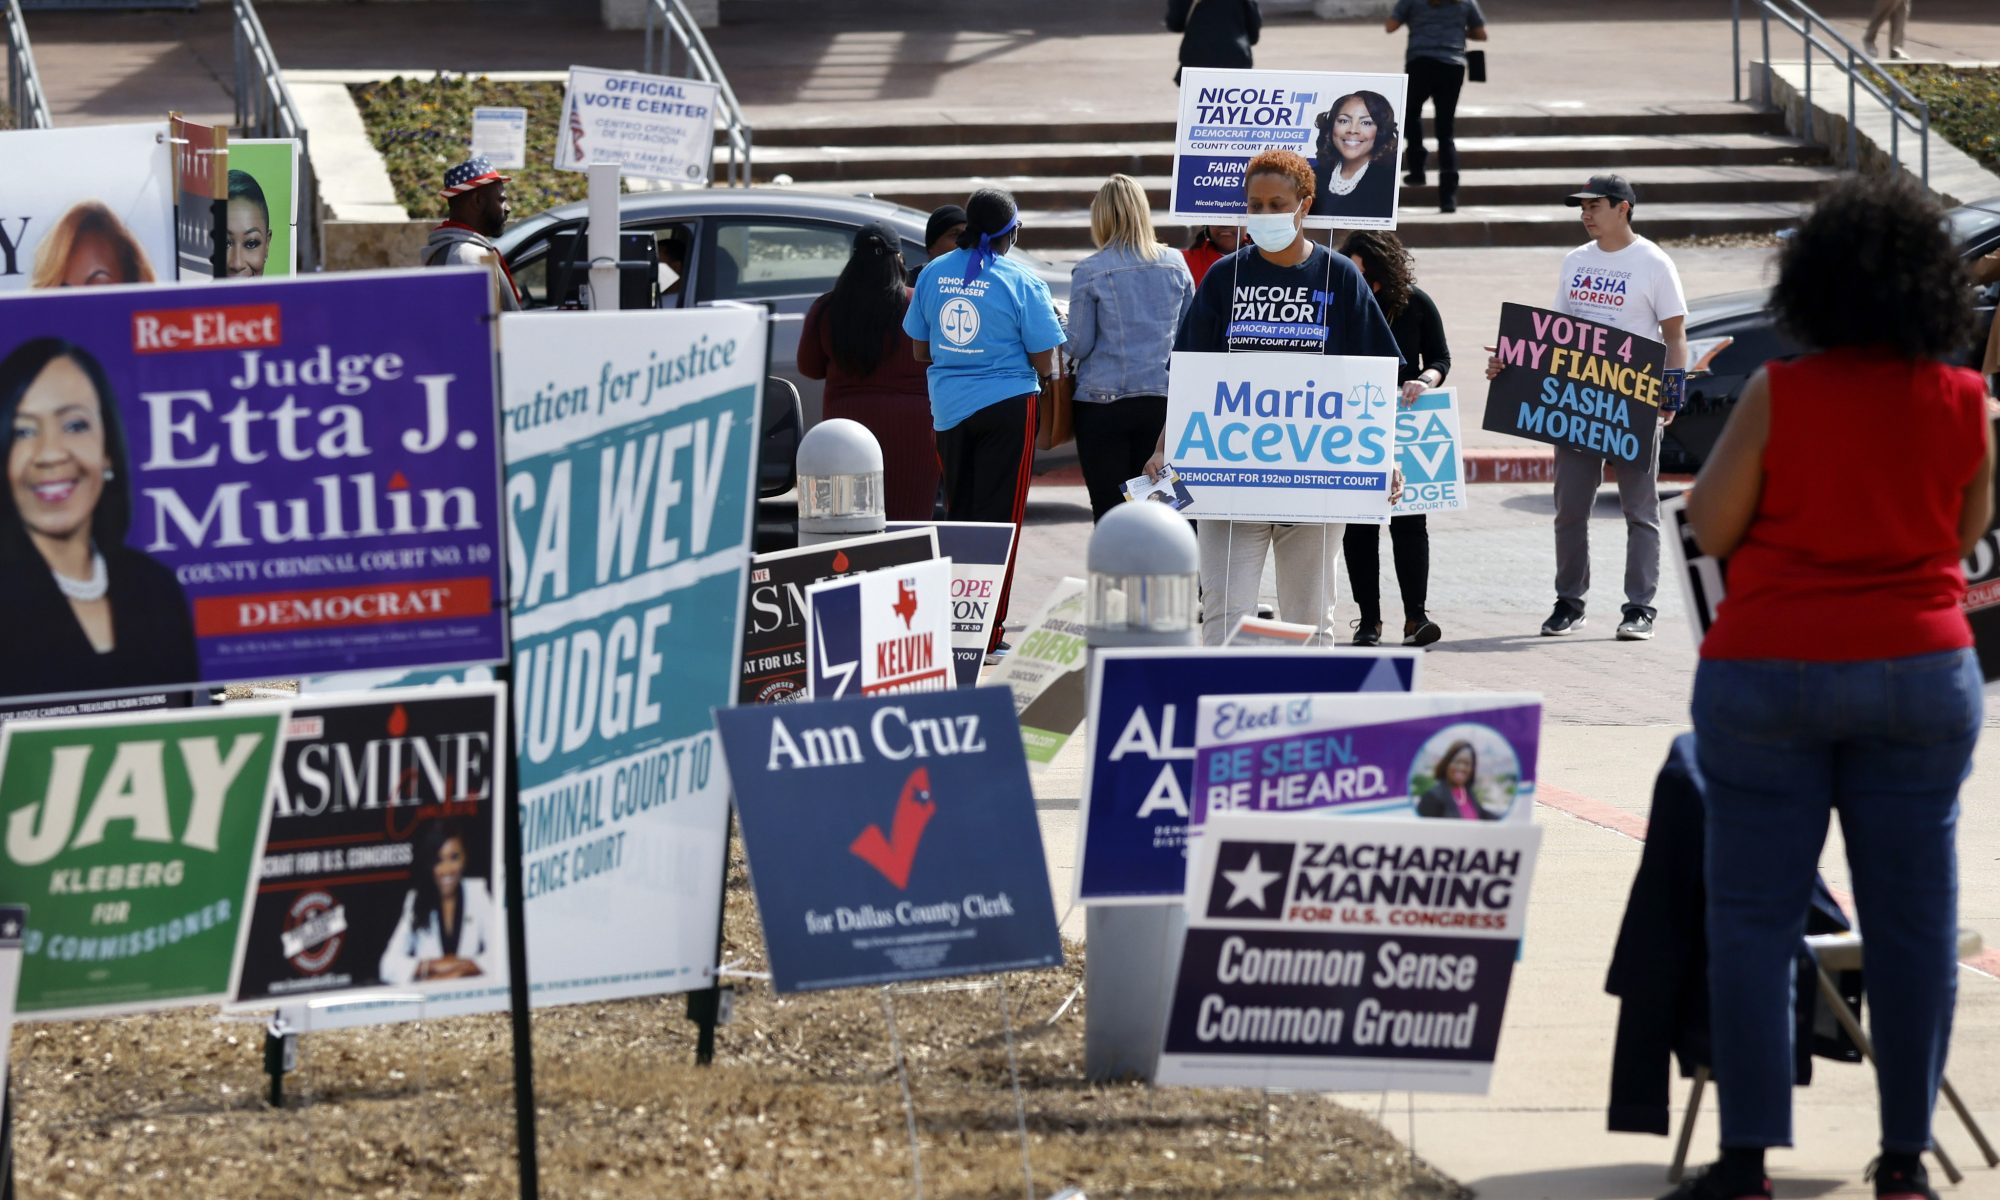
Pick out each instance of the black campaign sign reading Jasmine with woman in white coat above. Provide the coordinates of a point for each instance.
(383, 861)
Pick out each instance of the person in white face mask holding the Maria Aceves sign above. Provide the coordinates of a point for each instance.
(1281, 267)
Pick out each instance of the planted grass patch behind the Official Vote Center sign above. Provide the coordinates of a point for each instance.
(423, 127)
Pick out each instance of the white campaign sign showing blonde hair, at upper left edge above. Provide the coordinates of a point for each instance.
(87, 207)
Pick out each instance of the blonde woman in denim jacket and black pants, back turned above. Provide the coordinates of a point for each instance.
(1125, 305)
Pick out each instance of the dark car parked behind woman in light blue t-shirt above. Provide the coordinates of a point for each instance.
(773, 247)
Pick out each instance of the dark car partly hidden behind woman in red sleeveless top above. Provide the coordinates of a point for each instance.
(1731, 337)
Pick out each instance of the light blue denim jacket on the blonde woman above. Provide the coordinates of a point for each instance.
(1123, 319)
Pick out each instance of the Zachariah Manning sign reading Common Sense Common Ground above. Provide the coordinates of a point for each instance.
(1347, 955)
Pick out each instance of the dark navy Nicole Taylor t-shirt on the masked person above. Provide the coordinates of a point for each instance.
(1319, 307)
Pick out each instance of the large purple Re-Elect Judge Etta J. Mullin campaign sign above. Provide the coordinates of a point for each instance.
(279, 479)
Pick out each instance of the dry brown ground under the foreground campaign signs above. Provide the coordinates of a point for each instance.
(803, 1101)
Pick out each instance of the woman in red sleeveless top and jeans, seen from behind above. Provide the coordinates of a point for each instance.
(1839, 673)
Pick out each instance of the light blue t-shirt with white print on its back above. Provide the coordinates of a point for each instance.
(981, 335)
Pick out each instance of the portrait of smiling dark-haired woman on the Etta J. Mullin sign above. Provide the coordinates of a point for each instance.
(83, 611)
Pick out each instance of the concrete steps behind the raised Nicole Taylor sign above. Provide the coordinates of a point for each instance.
(1701, 171)
